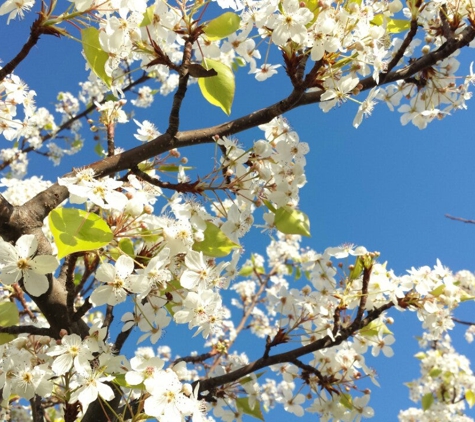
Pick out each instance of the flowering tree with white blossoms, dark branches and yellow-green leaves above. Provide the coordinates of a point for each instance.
(122, 231)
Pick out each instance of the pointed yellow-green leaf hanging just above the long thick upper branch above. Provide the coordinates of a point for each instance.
(218, 90)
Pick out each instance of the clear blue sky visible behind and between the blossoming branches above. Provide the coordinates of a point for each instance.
(383, 186)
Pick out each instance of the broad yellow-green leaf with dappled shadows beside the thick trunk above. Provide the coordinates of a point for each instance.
(75, 230)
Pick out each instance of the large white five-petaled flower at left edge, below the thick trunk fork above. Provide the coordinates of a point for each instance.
(16, 263)
